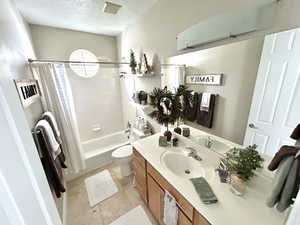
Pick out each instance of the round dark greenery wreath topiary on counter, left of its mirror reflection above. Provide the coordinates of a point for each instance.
(167, 106)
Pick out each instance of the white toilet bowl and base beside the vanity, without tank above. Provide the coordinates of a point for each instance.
(123, 156)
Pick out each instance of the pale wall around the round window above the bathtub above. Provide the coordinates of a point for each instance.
(97, 99)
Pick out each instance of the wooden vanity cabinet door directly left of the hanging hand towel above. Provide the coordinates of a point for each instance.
(155, 199)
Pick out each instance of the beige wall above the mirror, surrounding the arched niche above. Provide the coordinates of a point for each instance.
(155, 32)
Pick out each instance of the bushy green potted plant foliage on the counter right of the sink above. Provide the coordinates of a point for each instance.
(243, 162)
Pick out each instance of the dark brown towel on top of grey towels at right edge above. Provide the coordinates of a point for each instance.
(284, 152)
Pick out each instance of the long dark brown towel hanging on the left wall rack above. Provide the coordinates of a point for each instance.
(52, 167)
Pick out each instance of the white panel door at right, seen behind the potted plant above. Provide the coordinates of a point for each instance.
(275, 109)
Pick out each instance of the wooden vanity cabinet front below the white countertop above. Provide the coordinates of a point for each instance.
(151, 186)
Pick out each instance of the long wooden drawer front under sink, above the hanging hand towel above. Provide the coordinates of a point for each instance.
(183, 204)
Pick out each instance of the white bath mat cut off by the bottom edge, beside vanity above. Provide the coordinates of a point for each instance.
(136, 216)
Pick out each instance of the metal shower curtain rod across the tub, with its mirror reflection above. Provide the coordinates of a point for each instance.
(98, 62)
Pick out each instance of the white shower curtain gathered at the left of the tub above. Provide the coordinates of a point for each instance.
(58, 98)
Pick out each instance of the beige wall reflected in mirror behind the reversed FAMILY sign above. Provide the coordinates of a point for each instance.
(239, 63)
